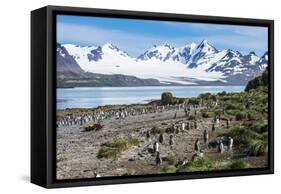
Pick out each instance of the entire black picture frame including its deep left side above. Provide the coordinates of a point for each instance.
(43, 95)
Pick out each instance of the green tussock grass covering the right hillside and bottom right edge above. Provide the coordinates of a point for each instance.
(248, 113)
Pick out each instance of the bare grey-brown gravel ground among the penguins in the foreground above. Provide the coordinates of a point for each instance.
(77, 150)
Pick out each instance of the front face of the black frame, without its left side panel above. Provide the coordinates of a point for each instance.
(51, 181)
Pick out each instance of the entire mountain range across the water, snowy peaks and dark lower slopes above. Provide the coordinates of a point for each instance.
(193, 64)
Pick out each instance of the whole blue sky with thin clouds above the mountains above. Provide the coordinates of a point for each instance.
(136, 36)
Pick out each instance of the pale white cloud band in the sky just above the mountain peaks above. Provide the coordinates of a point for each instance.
(244, 39)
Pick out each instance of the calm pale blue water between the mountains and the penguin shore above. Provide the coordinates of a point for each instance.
(91, 97)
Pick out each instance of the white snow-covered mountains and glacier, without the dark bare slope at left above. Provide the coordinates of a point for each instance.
(189, 64)
